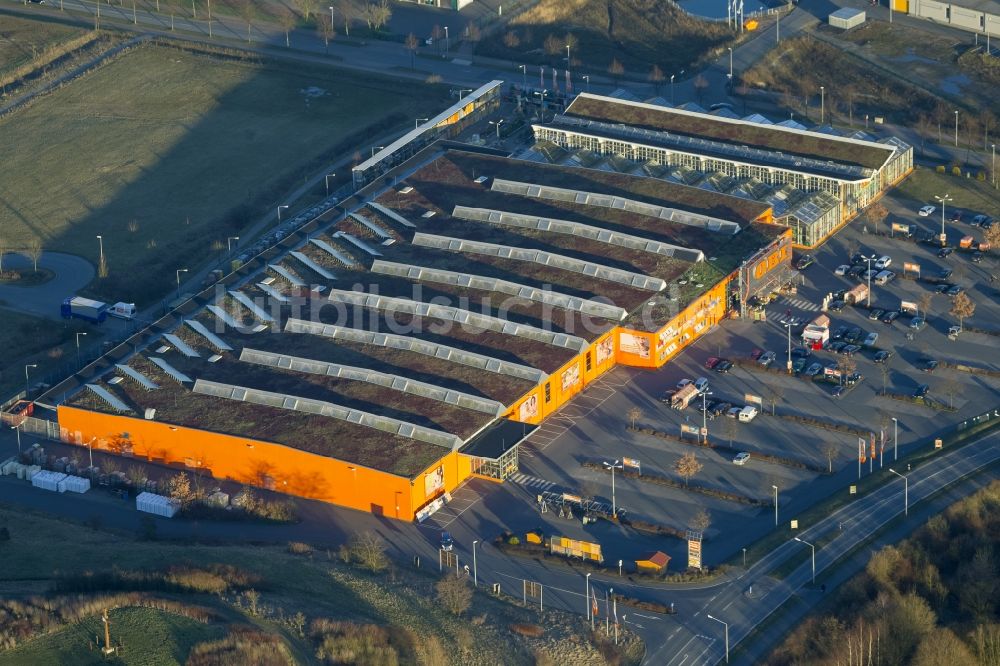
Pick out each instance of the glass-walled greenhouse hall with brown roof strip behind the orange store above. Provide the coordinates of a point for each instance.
(815, 181)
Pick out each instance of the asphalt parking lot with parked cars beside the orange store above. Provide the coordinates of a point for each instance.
(596, 430)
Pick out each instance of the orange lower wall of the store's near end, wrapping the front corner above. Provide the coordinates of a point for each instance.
(266, 464)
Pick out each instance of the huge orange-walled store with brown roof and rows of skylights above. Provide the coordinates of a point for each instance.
(382, 357)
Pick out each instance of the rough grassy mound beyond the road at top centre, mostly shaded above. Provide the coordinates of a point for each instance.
(637, 33)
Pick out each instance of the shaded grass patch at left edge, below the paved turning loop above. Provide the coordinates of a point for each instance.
(27, 339)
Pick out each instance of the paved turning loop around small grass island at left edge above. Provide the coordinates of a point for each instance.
(72, 273)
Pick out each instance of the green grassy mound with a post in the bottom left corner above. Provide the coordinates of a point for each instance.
(148, 637)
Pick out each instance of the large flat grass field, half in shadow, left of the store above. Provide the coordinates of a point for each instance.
(165, 152)
